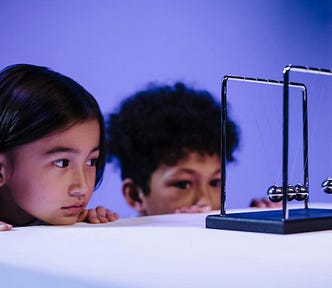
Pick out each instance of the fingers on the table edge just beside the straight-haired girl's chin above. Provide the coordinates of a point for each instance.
(98, 215)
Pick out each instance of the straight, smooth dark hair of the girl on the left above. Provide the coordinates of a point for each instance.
(36, 102)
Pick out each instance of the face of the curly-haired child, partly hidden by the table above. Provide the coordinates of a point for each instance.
(192, 185)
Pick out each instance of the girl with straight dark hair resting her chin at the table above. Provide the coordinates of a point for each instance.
(52, 149)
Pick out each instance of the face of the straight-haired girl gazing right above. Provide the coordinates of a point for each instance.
(53, 178)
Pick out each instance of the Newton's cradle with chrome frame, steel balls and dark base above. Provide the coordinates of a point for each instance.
(285, 220)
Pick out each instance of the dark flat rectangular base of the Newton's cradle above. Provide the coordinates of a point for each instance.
(300, 220)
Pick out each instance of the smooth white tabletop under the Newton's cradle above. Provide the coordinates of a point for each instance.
(162, 251)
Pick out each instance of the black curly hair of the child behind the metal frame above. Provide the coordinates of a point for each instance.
(161, 125)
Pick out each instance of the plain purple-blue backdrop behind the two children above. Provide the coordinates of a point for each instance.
(114, 47)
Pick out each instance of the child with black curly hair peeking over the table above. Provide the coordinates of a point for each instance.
(166, 140)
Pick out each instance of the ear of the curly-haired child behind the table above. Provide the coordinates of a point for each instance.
(134, 195)
